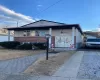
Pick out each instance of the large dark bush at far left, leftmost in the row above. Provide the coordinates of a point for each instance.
(9, 44)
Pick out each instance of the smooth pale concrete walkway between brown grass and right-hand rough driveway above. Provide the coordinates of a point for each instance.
(70, 69)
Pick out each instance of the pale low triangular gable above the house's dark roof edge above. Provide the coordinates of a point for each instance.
(42, 23)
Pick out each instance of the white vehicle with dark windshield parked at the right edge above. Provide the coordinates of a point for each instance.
(93, 43)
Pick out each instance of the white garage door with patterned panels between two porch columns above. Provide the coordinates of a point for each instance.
(62, 41)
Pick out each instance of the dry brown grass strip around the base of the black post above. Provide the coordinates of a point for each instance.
(49, 67)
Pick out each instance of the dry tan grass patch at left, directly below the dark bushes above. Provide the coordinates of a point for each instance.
(10, 54)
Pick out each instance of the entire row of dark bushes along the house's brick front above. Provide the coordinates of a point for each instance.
(25, 46)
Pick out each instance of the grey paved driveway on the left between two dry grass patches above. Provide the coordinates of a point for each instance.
(18, 65)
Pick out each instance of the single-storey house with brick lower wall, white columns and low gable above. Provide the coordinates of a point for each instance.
(62, 35)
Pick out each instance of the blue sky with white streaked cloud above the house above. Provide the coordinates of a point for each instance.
(83, 12)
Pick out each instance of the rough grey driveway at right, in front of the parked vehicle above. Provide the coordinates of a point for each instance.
(90, 66)
